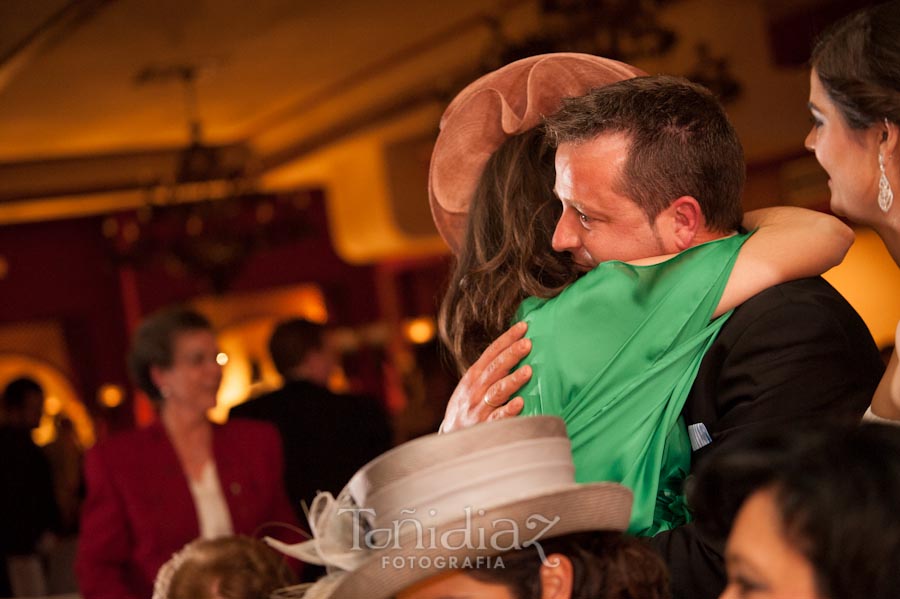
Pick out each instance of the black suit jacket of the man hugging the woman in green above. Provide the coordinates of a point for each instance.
(794, 353)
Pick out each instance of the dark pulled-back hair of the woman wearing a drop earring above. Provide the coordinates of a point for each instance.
(858, 62)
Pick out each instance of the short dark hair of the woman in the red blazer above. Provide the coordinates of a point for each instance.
(153, 343)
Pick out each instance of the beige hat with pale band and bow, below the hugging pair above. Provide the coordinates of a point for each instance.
(452, 501)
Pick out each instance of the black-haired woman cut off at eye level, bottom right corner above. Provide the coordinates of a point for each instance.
(816, 513)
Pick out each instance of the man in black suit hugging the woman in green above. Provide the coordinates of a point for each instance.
(794, 353)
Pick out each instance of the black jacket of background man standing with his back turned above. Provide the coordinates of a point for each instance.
(327, 437)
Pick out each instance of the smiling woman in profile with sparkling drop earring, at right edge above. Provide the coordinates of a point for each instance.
(854, 98)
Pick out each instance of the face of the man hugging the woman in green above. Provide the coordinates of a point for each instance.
(597, 223)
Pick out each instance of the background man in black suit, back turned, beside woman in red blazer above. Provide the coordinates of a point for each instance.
(326, 436)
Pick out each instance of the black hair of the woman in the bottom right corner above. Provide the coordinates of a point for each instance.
(836, 490)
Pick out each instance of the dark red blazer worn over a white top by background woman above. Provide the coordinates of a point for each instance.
(139, 509)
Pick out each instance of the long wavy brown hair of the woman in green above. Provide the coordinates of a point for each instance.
(506, 254)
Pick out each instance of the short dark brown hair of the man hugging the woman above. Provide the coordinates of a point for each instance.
(680, 144)
